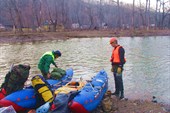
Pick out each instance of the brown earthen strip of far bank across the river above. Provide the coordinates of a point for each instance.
(10, 37)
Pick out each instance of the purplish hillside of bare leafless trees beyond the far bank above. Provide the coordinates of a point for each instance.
(35, 13)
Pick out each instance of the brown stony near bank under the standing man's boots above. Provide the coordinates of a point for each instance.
(133, 106)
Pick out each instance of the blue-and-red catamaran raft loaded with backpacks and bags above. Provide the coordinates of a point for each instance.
(57, 94)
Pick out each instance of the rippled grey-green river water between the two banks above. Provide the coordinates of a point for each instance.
(146, 72)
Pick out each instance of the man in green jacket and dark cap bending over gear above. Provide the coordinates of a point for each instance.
(45, 62)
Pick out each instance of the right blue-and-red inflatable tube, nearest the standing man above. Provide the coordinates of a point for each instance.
(91, 95)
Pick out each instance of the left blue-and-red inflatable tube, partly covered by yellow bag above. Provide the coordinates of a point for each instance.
(25, 99)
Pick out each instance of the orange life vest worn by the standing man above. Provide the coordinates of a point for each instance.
(115, 55)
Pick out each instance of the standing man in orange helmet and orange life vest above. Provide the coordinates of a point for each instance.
(117, 60)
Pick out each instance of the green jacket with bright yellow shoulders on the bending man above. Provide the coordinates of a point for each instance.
(45, 61)
